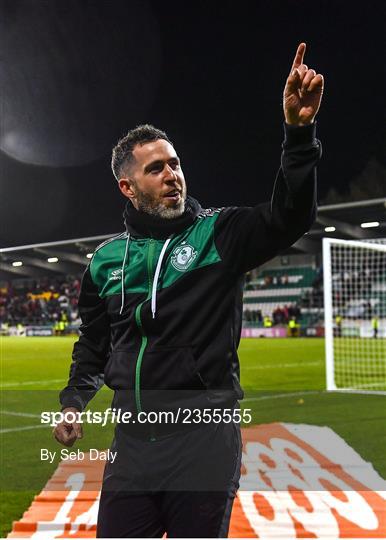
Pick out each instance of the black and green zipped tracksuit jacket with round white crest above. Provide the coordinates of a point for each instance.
(161, 304)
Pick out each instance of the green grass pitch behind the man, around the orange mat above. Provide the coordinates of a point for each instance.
(283, 380)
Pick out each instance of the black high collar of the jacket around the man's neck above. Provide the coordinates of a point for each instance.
(140, 224)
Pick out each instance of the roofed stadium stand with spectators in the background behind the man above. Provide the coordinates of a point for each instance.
(290, 286)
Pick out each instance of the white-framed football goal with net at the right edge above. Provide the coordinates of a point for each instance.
(354, 274)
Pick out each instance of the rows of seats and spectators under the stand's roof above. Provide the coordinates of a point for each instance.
(279, 294)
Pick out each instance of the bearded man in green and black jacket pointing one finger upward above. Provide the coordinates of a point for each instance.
(161, 307)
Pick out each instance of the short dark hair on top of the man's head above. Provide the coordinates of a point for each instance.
(123, 151)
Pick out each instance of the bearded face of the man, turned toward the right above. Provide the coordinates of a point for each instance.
(155, 182)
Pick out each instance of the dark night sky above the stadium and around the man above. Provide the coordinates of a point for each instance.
(75, 75)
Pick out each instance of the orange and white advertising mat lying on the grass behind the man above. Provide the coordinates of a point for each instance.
(297, 481)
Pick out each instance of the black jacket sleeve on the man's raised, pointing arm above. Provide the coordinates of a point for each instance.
(246, 237)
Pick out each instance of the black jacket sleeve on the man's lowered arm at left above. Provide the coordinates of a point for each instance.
(90, 352)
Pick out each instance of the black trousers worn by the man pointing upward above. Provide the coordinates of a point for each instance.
(183, 484)
